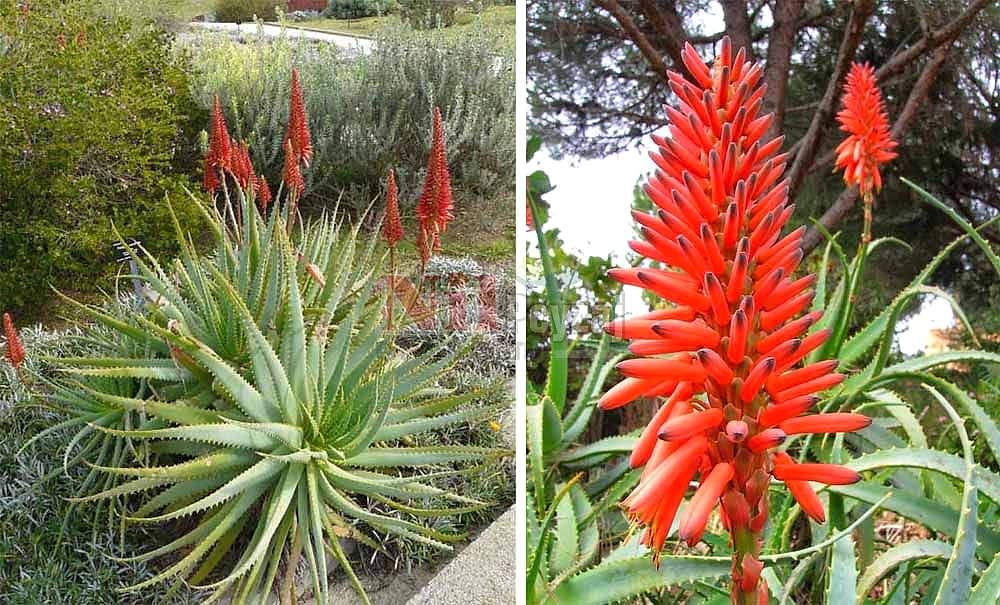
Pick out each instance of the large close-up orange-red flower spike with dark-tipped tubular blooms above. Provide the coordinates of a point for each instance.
(734, 327)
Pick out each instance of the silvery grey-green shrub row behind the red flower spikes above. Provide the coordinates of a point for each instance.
(373, 111)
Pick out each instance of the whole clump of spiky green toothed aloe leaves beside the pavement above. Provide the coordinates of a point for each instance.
(274, 408)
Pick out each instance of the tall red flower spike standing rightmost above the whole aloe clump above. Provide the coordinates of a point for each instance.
(434, 209)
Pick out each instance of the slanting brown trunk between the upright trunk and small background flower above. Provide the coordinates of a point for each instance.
(809, 144)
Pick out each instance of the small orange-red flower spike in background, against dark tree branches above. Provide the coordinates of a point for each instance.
(868, 144)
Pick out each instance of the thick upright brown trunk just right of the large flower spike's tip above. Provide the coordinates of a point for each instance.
(779, 57)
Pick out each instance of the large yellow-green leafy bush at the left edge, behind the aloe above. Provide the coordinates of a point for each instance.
(86, 142)
